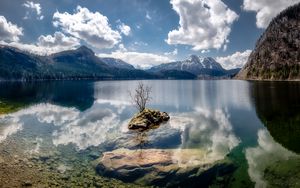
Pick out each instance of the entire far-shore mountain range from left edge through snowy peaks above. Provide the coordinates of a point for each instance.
(82, 63)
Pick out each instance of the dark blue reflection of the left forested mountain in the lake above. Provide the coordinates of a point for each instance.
(18, 95)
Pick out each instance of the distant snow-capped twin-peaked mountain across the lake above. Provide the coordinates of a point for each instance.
(205, 67)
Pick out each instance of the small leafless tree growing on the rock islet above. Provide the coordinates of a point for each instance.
(141, 96)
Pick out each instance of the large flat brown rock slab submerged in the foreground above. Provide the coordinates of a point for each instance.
(169, 167)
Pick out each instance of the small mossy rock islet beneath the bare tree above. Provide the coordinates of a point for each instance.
(148, 119)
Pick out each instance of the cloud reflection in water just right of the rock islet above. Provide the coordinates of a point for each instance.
(210, 132)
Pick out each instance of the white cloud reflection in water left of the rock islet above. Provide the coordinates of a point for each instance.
(89, 128)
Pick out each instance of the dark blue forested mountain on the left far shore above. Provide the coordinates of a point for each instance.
(80, 63)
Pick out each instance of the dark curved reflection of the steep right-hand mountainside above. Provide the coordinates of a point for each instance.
(278, 106)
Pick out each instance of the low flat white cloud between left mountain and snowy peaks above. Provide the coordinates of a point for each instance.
(138, 59)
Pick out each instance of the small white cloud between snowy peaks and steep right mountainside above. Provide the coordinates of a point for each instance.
(236, 60)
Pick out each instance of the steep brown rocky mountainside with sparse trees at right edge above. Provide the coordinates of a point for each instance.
(276, 55)
